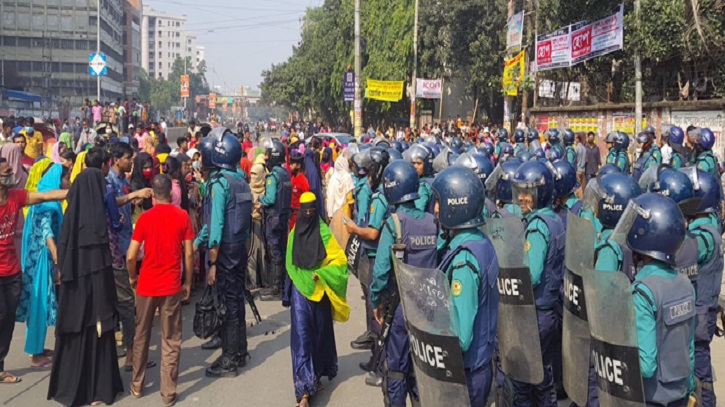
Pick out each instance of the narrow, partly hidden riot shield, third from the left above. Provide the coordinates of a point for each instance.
(579, 256)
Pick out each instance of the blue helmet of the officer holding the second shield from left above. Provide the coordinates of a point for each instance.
(535, 179)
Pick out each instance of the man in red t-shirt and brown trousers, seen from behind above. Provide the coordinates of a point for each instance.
(163, 230)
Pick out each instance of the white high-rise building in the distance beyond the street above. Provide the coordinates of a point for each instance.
(165, 38)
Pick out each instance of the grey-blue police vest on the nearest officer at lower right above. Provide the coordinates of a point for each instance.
(674, 304)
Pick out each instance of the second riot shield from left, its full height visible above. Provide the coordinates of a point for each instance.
(518, 326)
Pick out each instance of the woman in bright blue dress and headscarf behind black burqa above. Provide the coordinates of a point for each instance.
(38, 306)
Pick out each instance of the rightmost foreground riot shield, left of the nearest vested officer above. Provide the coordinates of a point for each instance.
(614, 347)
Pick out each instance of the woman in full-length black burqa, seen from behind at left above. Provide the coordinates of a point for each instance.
(85, 366)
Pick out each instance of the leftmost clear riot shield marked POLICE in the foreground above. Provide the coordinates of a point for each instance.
(434, 344)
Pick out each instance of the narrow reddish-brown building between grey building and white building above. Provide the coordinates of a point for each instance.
(131, 45)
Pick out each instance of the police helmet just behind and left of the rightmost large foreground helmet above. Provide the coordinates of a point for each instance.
(608, 196)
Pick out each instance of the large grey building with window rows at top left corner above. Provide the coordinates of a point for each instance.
(45, 45)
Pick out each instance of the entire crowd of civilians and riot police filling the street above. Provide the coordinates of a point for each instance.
(99, 233)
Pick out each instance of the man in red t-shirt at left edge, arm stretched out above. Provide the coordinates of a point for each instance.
(11, 279)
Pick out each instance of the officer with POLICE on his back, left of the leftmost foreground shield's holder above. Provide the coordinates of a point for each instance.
(417, 232)
